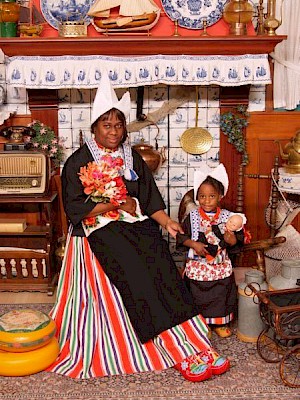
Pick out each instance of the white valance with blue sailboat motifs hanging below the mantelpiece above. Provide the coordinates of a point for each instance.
(85, 71)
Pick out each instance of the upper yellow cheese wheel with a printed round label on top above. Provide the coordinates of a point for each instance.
(25, 330)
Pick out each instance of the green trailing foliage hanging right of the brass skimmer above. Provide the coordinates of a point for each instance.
(232, 124)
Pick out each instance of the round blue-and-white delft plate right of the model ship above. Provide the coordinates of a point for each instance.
(191, 13)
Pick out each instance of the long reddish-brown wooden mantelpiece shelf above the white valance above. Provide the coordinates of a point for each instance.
(140, 45)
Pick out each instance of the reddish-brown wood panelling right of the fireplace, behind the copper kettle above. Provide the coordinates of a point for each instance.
(263, 129)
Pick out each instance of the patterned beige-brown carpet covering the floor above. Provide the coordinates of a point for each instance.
(249, 378)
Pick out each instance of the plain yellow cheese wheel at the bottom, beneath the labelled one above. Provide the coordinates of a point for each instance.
(29, 362)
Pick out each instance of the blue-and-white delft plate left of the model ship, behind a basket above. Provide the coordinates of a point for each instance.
(56, 11)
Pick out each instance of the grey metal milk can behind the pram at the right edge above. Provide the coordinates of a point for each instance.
(289, 278)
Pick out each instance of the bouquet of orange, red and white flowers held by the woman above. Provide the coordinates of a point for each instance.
(103, 182)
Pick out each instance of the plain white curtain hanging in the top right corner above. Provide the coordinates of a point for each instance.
(287, 56)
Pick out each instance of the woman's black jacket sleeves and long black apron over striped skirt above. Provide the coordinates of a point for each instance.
(134, 256)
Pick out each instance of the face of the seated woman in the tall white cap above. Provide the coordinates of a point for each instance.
(109, 132)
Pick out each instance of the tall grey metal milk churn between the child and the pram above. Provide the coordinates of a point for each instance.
(250, 323)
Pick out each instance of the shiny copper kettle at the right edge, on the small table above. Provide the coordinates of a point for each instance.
(291, 153)
